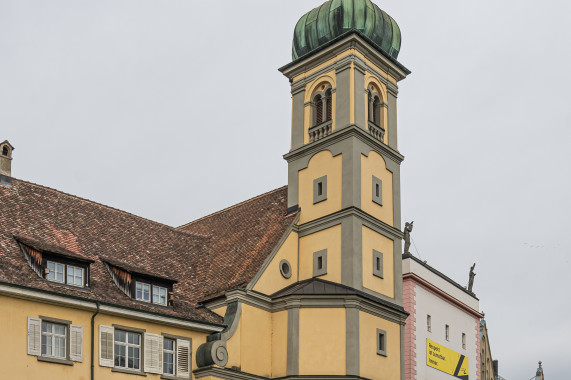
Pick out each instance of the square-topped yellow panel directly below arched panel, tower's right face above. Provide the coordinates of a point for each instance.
(375, 241)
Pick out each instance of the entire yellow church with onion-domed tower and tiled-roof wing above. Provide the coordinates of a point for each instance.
(305, 281)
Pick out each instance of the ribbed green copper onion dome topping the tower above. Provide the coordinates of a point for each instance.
(336, 18)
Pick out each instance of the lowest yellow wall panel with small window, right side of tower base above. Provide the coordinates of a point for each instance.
(373, 365)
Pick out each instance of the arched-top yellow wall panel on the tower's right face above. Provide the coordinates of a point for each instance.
(374, 165)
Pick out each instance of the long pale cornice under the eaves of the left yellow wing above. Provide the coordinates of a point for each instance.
(30, 294)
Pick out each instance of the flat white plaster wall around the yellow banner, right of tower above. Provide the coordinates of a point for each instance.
(442, 314)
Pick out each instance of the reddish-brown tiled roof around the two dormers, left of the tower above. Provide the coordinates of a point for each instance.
(205, 257)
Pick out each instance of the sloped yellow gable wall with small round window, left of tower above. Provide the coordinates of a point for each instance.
(272, 280)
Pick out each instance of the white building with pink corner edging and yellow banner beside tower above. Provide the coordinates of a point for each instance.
(442, 333)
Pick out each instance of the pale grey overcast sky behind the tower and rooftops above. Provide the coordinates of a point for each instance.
(175, 109)
